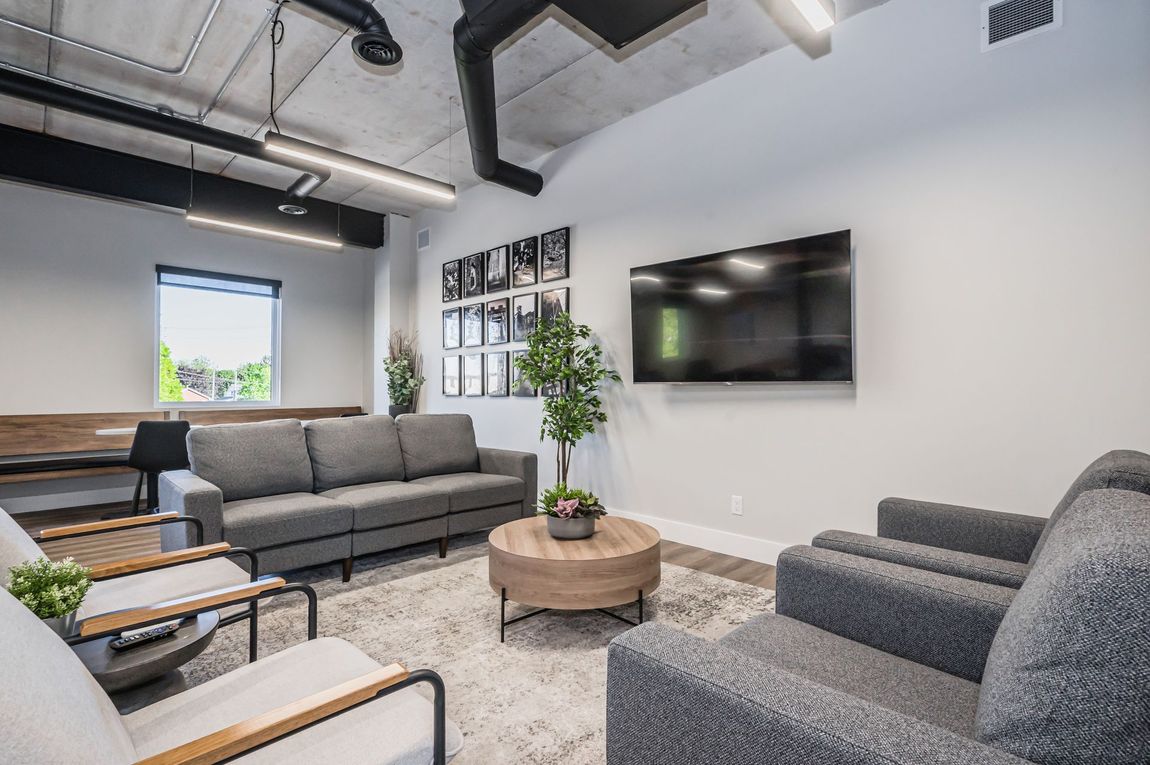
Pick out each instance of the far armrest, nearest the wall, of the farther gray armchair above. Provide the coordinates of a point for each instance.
(1009, 537)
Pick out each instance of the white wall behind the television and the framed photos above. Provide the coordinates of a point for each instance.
(999, 205)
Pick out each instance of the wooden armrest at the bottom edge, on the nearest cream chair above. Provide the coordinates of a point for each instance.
(260, 730)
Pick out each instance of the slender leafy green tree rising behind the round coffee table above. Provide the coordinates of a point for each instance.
(563, 363)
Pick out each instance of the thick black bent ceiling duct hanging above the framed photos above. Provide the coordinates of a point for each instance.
(487, 24)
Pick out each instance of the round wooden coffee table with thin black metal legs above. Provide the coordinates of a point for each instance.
(619, 565)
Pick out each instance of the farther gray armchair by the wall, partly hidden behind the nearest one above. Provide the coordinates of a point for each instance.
(980, 545)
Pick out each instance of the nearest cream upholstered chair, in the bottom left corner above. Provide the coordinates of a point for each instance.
(319, 702)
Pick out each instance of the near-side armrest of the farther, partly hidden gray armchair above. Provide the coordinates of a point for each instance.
(982, 569)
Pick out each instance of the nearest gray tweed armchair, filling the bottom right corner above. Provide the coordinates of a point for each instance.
(873, 663)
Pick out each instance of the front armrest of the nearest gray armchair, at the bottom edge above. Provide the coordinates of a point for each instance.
(677, 699)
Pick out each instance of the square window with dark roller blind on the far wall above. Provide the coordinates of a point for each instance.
(218, 339)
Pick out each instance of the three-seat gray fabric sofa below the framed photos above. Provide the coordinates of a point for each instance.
(303, 495)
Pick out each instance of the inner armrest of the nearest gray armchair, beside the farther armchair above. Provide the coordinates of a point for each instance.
(933, 619)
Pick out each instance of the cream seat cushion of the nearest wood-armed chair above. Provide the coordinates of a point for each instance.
(393, 730)
